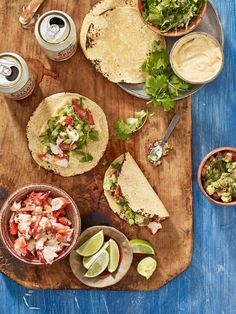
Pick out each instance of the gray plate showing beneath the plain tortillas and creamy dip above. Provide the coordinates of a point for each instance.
(210, 24)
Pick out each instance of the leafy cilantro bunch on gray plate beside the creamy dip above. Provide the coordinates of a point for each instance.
(161, 82)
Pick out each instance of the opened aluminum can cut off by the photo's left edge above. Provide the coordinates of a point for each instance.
(16, 79)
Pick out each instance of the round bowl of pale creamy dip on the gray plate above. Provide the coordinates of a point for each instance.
(197, 58)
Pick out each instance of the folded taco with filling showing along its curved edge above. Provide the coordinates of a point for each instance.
(130, 195)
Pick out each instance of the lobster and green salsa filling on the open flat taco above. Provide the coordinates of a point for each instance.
(67, 133)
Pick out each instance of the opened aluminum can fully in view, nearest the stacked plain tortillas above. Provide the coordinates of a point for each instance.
(56, 33)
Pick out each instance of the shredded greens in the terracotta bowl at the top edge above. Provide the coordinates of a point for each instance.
(171, 14)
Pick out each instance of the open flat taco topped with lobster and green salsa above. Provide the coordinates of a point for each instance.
(68, 134)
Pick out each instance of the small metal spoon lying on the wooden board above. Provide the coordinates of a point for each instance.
(157, 151)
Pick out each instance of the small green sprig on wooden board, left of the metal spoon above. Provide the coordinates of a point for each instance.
(125, 129)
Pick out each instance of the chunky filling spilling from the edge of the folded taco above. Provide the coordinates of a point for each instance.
(132, 217)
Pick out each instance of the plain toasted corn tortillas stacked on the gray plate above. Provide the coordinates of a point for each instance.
(116, 40)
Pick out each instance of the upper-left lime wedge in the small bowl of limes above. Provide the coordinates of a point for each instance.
(92, 245)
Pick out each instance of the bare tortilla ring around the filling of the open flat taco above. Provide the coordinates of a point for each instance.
(38, 123)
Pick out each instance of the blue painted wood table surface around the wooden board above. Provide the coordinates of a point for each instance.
(209, 284)
